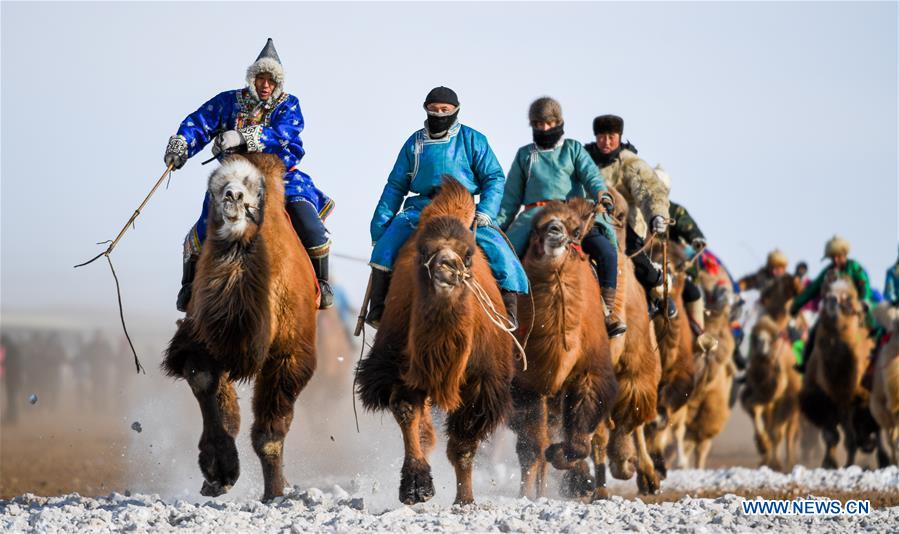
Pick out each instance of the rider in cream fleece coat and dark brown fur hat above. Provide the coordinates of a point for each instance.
(645, 195)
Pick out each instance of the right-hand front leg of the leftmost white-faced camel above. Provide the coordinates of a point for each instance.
(277, 387)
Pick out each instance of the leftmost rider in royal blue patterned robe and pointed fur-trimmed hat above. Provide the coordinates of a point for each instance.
(258, 118)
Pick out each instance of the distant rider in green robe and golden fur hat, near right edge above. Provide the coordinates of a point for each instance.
(837, 250)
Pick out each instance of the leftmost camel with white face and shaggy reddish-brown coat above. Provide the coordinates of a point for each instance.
(252, 316)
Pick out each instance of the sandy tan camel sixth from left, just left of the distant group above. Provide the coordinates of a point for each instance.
(707, 411)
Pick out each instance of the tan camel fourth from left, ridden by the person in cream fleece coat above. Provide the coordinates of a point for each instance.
(637, 368)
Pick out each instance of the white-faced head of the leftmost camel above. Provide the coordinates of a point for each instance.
(236, 200)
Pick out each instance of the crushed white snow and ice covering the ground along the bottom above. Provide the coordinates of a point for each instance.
(338, 510)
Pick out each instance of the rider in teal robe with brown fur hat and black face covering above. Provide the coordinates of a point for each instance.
(553, 168)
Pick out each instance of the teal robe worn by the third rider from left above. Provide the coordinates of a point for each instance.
(559, 173)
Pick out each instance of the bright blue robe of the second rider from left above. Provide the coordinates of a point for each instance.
(464, 154)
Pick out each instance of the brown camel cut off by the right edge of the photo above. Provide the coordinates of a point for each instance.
(885, 392)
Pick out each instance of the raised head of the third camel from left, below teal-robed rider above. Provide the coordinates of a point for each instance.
(559, 226)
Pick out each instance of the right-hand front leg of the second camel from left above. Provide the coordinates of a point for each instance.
(486, 400)
